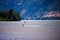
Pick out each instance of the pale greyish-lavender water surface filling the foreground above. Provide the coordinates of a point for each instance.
(33, 30)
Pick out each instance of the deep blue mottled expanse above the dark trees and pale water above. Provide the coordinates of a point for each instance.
(31, 9)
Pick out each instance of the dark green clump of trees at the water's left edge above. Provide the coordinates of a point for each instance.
(9, 15)
